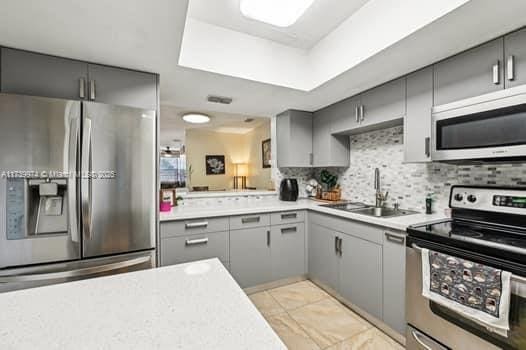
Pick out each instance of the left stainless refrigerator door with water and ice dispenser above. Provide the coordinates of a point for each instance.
(39, 144)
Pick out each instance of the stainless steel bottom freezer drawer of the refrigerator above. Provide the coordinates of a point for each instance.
(42, 275)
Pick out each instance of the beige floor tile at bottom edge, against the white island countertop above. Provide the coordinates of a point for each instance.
(291, 333)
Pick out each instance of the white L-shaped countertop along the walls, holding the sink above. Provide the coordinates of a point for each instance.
(253, 206)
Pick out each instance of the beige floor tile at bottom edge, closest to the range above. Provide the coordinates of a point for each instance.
(372, 339)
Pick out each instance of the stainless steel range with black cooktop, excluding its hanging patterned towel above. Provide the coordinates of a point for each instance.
(488, 226)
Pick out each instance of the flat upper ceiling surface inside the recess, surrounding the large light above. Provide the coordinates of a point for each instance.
(319, 20)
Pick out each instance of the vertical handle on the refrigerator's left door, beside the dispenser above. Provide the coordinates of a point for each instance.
(72, 181)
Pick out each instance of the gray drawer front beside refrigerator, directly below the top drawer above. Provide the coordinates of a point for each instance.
(176, 250)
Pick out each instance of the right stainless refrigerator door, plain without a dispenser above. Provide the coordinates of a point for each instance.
(118, 186)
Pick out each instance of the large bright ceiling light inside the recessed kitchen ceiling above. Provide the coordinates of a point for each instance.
(280, 13)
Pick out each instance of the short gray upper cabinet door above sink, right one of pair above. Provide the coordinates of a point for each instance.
(384, 103)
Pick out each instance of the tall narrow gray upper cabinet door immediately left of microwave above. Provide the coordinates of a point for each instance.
(417, 121)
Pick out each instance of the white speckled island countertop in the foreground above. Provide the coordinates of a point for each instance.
(188, 306)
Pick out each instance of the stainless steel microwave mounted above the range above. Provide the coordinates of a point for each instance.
(490, 127)
